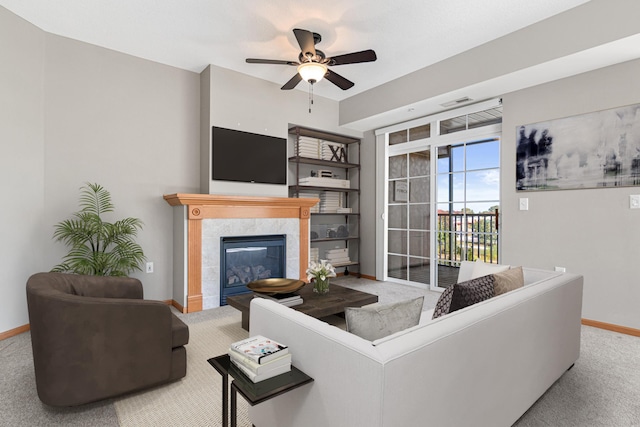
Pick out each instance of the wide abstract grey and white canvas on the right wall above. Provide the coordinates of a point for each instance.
(594, 150)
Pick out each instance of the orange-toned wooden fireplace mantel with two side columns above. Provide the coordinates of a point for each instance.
(209, 206)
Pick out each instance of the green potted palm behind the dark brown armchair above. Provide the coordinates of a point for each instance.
(98, 247)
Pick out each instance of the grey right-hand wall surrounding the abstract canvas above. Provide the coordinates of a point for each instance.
(590, 232)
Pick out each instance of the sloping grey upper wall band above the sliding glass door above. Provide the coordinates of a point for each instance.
(587, 26)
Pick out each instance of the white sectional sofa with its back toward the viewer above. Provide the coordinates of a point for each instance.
(484, 365)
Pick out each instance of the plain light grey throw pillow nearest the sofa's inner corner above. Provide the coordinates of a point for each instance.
(379, 320)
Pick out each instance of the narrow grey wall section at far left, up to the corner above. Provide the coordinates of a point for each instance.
(21, 163)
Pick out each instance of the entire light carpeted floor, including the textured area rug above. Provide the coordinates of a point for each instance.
(602, 390)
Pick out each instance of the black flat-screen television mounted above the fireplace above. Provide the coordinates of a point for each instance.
(248, 157)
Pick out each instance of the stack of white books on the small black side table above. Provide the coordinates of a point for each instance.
(260, 358)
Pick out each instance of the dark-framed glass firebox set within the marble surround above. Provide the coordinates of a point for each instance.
(244, 259)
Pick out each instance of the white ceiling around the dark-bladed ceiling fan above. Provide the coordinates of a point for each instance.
(407, 35)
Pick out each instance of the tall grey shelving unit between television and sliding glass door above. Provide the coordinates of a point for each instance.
(335, 221)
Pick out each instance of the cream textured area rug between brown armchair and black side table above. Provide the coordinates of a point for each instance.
(196, 399)
